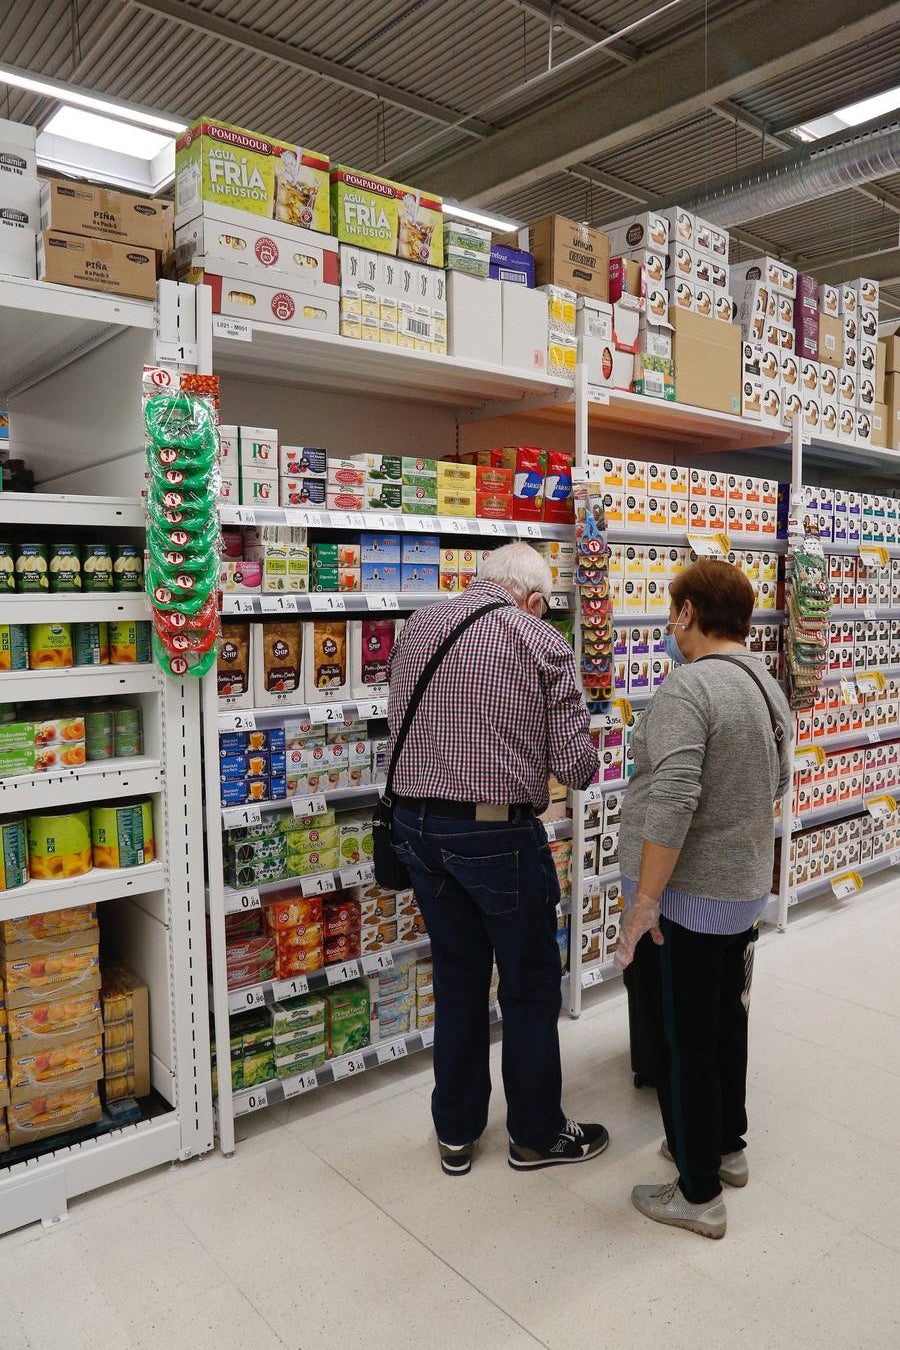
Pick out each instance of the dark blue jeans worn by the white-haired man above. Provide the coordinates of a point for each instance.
(489, 890)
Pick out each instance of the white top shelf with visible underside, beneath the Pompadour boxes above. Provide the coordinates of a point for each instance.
(326, 361)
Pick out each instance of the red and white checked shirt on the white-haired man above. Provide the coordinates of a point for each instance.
(501, 713)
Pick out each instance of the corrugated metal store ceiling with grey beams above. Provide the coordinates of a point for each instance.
(458, 95)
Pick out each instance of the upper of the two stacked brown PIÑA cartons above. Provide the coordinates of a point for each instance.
(82, 209)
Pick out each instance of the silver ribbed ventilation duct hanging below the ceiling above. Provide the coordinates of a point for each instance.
(805, 176)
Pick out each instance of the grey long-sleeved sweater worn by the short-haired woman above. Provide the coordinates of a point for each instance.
(706, 776)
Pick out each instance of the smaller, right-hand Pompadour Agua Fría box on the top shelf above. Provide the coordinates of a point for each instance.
(387, 217)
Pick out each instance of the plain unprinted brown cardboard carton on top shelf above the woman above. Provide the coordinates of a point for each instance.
(708, 362)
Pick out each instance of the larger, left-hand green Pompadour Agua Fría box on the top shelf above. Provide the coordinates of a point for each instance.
(231, 167)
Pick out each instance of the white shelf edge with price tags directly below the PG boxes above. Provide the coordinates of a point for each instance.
(465, 526)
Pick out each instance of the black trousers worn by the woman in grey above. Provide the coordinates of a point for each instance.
(693, 997)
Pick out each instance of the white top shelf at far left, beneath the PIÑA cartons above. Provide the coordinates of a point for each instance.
(45, 327)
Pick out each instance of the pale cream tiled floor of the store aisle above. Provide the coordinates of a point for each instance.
(334, 1225)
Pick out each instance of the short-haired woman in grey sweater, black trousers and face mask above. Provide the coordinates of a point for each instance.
(697, 844)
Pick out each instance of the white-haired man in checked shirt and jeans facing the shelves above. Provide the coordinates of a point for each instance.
(503, 713)
